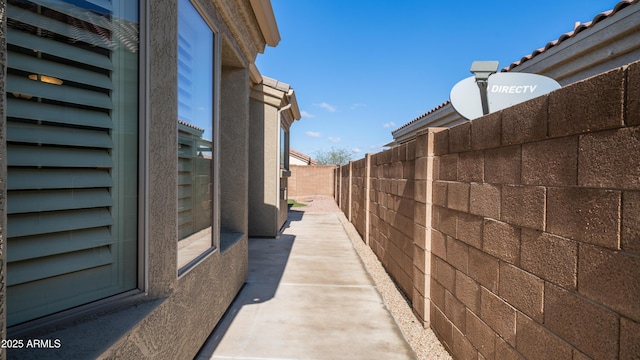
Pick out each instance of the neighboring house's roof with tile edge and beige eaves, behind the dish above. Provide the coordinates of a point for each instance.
(604, 43)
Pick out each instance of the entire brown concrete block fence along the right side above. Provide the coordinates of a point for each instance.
(516, 235)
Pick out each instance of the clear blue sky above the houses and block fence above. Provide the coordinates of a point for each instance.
(361, 69)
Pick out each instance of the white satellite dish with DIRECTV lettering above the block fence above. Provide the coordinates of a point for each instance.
(504, 89)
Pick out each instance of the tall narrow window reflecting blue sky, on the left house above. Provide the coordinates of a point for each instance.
(195, 134)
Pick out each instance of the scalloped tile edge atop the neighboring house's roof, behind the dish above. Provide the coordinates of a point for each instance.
(578, 27)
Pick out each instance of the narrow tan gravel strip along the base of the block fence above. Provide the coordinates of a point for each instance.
(423, 341)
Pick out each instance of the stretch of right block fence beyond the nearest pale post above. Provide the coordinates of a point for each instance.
(383, 211)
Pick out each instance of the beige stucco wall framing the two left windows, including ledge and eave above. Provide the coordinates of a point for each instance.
(171, 316)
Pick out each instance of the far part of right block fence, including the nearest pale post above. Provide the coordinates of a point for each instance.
(387, 203)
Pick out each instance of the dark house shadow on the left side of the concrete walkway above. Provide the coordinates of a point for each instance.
(268, 258)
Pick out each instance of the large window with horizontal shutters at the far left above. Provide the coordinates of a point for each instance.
(72, 153)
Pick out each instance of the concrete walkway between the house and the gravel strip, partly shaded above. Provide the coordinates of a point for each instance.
(307, 296)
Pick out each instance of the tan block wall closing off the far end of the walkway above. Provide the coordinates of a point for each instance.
(311, 180)
